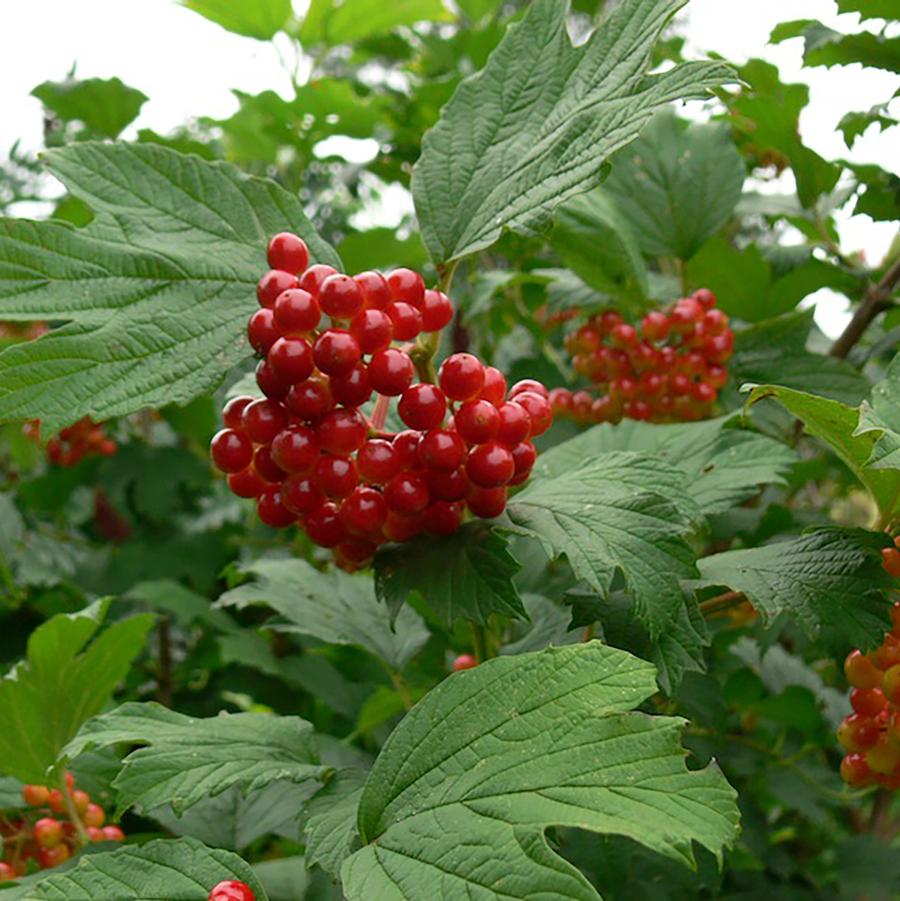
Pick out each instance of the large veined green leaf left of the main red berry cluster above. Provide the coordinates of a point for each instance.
(158, 288)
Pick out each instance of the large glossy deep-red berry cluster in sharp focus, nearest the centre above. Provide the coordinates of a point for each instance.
(309, 455)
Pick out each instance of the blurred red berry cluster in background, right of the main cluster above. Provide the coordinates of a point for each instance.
(668, 369)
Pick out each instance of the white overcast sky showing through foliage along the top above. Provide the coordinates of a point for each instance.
(187, 66)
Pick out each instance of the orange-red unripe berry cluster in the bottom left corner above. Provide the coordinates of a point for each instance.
(51, 829)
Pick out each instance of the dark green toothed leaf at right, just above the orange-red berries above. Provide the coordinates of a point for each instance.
(831, 578)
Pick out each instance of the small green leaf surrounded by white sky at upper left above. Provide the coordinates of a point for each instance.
(105, 106)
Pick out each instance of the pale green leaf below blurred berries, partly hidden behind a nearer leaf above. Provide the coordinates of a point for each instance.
(724, 466)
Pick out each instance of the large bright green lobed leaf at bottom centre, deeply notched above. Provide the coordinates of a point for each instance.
(459, 799)
